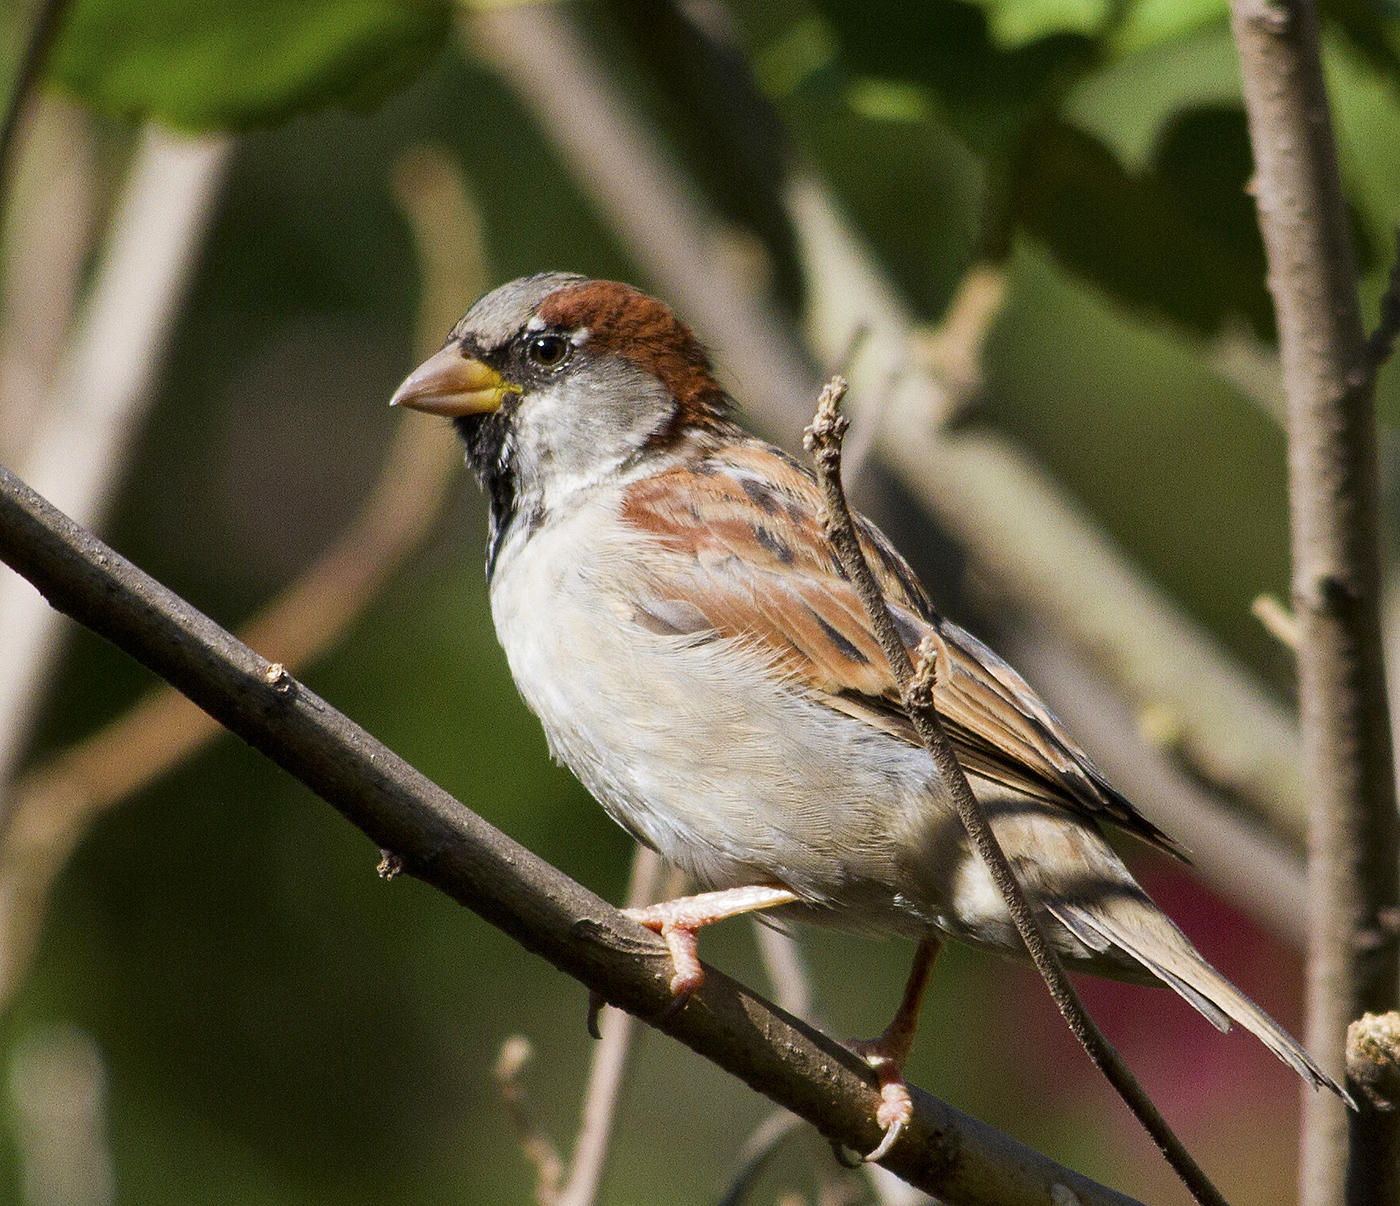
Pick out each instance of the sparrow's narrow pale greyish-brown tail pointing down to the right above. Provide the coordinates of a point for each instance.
(1139, 929)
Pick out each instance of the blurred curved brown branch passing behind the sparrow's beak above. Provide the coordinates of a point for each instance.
(55, 805)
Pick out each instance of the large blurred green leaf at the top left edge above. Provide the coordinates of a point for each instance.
(220, 64)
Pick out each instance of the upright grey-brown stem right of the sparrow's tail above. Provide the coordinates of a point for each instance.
(1329, 377)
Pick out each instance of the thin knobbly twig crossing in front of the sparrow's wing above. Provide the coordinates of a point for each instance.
(916, 684)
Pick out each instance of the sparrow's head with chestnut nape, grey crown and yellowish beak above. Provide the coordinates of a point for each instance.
(558, 382)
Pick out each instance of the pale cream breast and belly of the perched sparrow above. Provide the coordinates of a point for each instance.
(694, 744)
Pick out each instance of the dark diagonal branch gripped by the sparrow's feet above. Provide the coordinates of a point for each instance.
(449, 847)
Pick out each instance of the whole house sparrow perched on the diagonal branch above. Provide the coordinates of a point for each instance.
(673, 614)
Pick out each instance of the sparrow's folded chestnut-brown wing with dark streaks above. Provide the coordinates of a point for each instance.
(745, 551)
